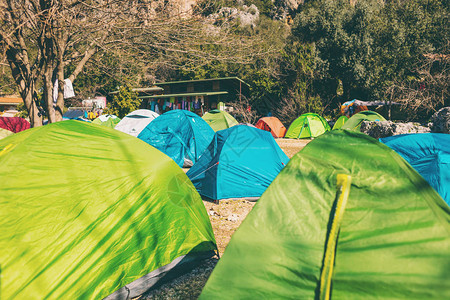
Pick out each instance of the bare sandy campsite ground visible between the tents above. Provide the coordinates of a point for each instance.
(225, 216)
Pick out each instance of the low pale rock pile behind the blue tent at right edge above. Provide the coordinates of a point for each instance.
(388, 128)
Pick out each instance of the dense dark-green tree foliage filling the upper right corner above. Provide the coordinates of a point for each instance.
(370, 46)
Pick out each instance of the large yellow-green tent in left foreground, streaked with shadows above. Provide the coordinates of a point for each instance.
(86, 210)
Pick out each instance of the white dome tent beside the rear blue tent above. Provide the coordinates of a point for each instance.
(136, 121)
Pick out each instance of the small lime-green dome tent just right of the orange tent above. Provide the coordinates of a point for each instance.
(309, 125)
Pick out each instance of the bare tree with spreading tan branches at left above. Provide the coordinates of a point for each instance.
(45, 39)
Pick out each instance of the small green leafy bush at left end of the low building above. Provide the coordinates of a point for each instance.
(124, 102)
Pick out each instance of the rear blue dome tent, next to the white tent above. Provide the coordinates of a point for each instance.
(180, 134)
